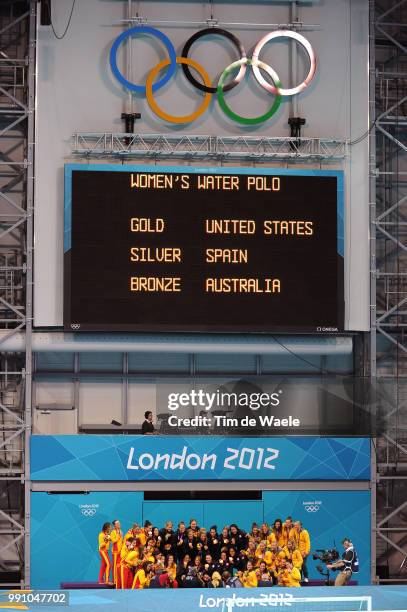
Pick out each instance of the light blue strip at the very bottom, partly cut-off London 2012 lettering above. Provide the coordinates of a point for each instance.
(348, 599)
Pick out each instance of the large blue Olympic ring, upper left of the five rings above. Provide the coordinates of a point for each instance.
(143, 30)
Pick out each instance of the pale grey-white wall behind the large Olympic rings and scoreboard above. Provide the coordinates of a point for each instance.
(77, 93)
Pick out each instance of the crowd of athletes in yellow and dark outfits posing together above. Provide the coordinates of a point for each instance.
(194, 557)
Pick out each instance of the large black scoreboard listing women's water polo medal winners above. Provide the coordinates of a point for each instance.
(203, 249)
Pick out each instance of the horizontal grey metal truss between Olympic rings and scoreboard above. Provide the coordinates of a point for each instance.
(219, 148)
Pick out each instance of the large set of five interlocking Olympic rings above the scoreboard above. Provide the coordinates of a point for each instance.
(205, 85)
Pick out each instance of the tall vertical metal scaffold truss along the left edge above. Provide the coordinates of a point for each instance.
(17, 80)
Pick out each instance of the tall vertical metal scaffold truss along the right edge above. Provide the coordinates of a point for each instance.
(388, 340)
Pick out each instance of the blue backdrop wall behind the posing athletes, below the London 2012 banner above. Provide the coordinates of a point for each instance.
(64, 527)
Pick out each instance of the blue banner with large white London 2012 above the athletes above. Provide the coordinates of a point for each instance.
(174, 458)
